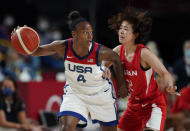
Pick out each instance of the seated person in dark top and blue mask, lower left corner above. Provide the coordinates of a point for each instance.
(12, 113)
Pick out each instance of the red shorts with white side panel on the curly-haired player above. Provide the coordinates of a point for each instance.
(139, 116)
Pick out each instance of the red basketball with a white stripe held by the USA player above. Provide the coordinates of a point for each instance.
(25, 40)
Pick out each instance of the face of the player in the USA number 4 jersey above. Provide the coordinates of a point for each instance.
(84, 33)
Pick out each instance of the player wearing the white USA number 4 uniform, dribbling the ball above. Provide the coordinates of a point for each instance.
(85, 92)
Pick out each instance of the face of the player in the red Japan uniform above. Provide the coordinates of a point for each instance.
(126, 33)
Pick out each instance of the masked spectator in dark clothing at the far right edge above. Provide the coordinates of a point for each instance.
(182, 66)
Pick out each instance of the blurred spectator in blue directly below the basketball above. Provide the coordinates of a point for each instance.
(17, 66)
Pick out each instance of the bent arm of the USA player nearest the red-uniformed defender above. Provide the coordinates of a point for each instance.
(107, 54)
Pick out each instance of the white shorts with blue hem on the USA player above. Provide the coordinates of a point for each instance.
(100, 106)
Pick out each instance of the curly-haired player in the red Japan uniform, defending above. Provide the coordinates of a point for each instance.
(146, 109)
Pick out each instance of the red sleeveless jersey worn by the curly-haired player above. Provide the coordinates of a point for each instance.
(140, 82)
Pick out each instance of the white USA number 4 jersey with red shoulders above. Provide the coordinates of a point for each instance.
(84, 74)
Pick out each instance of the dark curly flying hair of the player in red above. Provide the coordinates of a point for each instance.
(141, 23)
